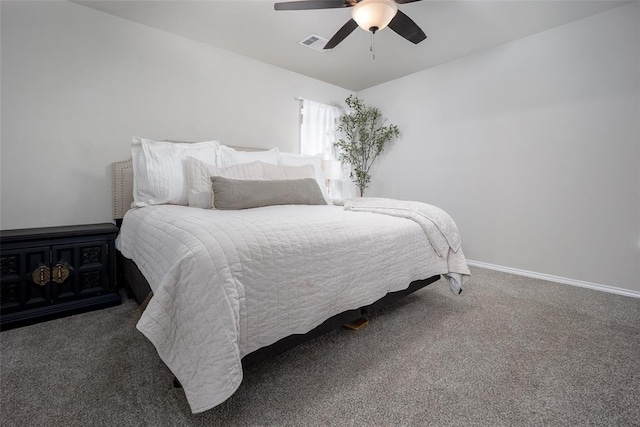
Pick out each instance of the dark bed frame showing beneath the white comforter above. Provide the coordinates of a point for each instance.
(138, 288)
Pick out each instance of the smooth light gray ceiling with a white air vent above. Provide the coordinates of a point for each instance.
(253, 28)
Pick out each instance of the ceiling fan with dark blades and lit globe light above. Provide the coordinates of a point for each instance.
(370, 15)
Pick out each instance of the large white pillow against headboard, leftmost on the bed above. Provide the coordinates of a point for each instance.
(159, 170)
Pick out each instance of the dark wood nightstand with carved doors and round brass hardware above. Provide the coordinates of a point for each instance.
(52, 272)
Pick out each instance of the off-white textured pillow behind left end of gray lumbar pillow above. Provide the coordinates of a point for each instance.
(199, 175)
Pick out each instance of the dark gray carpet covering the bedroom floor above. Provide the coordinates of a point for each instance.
(509, 351)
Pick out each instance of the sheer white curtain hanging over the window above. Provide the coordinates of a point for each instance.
(319, 122)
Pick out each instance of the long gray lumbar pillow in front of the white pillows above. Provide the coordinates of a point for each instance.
(245, 194)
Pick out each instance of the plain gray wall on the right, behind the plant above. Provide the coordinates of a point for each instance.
(533, 147)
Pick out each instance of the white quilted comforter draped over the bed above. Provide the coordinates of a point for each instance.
(229, 282)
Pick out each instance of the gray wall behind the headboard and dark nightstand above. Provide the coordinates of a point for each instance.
(77, 84)
